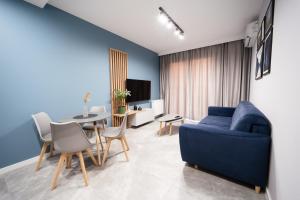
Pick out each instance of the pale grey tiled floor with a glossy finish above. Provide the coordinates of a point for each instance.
(155, 171)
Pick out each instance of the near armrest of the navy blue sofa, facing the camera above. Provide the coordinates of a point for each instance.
(241, 155)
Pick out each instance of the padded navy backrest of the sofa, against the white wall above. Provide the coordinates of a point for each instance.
(248, 118)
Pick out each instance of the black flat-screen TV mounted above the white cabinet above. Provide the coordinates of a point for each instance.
(140, 90)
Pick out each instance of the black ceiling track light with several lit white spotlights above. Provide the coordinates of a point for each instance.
(165, 18)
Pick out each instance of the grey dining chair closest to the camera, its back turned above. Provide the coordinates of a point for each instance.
(69, 139)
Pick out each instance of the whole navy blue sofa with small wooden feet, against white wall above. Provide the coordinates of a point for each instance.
(234, 142)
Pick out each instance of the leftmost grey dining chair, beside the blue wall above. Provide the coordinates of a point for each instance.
(42, 122)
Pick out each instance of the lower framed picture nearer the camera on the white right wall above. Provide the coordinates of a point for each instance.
(267, 53)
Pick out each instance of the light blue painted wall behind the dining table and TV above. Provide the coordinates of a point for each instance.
(48, 60)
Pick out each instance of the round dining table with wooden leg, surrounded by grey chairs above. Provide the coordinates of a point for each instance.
(93, 117)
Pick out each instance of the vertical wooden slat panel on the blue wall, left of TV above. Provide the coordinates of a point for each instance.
(118, 74)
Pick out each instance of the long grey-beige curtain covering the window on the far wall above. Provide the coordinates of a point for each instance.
(218, 75)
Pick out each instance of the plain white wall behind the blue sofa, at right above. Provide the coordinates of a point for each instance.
(277, 95)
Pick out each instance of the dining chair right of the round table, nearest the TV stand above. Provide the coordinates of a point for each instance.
(116, 133)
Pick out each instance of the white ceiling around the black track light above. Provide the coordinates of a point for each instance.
(205, 22)
